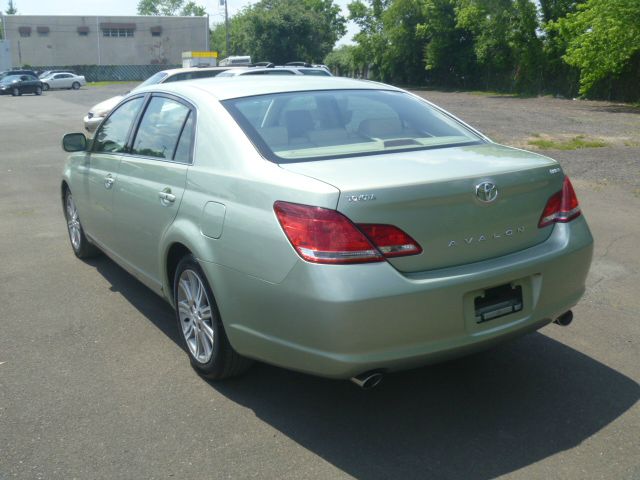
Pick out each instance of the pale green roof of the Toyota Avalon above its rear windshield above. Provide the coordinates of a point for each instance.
(250, 85)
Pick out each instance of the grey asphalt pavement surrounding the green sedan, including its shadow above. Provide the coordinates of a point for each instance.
(94, 385)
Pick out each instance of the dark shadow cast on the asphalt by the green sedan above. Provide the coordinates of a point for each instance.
(478, 417)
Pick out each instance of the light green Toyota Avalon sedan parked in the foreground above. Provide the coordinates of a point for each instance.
(337, 227)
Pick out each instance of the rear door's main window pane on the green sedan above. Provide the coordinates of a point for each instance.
(159, 131)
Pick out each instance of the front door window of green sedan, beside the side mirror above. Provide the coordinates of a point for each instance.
(114, 131)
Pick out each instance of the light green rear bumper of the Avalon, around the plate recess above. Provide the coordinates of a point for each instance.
(339, 321)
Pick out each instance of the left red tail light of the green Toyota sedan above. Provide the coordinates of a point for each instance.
(321, 235)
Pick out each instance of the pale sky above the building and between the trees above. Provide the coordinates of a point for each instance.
(128, 7)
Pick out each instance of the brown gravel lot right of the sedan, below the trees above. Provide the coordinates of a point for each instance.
(516, 121)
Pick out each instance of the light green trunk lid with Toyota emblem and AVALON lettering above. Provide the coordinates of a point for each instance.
(438, 197)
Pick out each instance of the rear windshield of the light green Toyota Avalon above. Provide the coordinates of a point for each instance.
(303, 126)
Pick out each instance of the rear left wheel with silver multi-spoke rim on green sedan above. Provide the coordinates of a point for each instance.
(200, 325)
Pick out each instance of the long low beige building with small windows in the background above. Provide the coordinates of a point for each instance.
(46, 40)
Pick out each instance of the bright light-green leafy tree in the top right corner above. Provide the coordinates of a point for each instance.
(603, 39)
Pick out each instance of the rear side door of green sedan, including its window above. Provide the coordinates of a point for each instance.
(151, 182)
